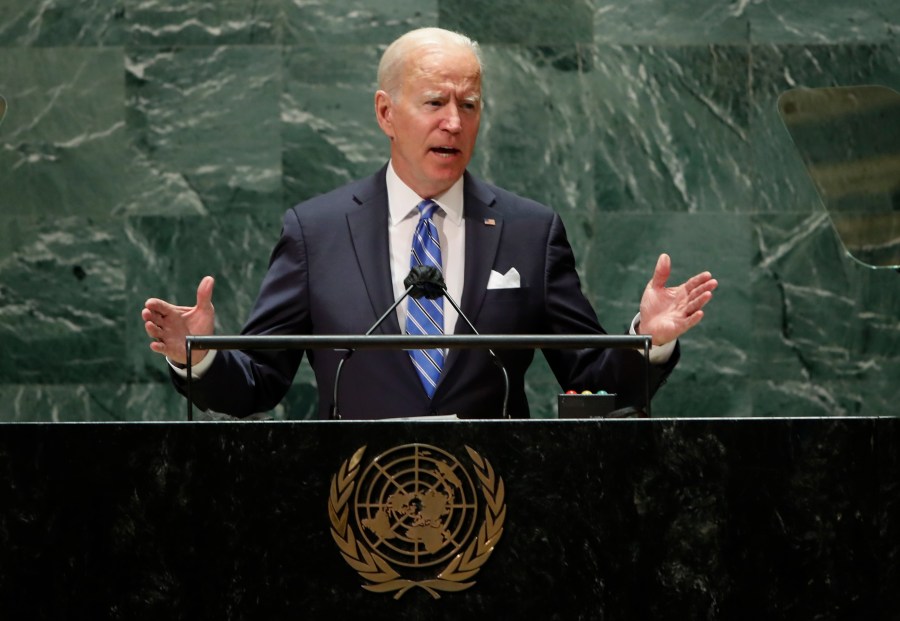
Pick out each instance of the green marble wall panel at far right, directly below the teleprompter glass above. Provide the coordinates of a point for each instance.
(825, 328)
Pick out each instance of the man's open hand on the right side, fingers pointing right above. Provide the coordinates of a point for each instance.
(669, 312)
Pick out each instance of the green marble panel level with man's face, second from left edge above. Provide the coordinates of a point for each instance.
(207, 120)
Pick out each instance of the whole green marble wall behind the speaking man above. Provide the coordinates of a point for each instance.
(150, 142)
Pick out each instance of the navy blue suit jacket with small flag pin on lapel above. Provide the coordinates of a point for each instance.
(330, 274)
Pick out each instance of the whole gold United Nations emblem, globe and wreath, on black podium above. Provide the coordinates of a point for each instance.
(414, 517)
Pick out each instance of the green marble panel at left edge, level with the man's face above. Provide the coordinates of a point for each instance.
(63, 135)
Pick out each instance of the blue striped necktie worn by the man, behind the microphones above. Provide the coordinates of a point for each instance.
(426, 316)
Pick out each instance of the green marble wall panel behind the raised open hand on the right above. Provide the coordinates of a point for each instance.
(712, 378)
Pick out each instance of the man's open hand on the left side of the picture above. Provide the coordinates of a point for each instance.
(168, 325)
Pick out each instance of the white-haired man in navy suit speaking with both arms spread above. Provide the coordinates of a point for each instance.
(343, 256)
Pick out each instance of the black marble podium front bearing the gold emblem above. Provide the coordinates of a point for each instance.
(603, 519)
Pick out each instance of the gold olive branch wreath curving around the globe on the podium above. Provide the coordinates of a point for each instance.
(381, 576)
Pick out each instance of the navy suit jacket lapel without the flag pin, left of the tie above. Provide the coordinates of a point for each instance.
(369, 234)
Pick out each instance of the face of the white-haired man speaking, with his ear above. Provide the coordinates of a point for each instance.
(433, 123)
